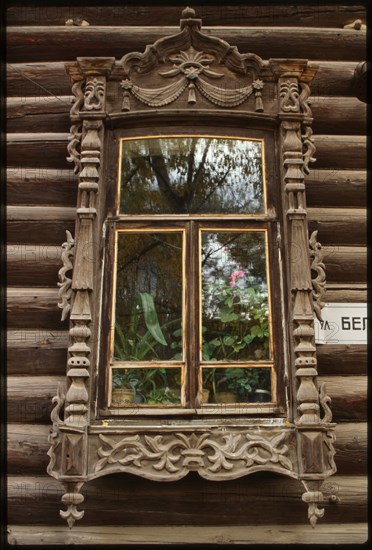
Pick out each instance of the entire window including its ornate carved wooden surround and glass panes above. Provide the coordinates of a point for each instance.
(191, 282)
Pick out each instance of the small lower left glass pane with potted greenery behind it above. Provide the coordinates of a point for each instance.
(158, 386)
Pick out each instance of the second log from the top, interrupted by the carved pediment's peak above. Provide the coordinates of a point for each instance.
(50, 42)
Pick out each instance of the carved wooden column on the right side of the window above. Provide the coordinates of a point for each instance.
(307, 397)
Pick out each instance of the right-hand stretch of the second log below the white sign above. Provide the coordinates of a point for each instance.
(349, 397)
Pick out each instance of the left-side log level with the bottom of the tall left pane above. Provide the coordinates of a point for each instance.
(37, 352)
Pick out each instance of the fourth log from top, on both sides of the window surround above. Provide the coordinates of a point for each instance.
(332, 115)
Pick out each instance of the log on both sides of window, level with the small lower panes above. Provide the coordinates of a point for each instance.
(29, 400)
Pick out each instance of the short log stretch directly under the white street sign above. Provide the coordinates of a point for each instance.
(342, 359)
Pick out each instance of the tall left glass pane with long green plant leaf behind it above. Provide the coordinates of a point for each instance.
(148, 309)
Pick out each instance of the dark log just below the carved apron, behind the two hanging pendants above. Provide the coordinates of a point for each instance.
(130, 500)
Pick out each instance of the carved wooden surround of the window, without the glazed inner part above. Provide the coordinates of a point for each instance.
(85, 446)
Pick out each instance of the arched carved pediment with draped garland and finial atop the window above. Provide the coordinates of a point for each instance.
(202, 66)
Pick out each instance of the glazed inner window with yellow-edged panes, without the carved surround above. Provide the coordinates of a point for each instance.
(192, 309)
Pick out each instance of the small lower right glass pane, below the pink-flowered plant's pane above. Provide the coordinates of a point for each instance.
(236, 385)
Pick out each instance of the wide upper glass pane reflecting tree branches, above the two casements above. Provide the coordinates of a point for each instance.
(191, 175)
